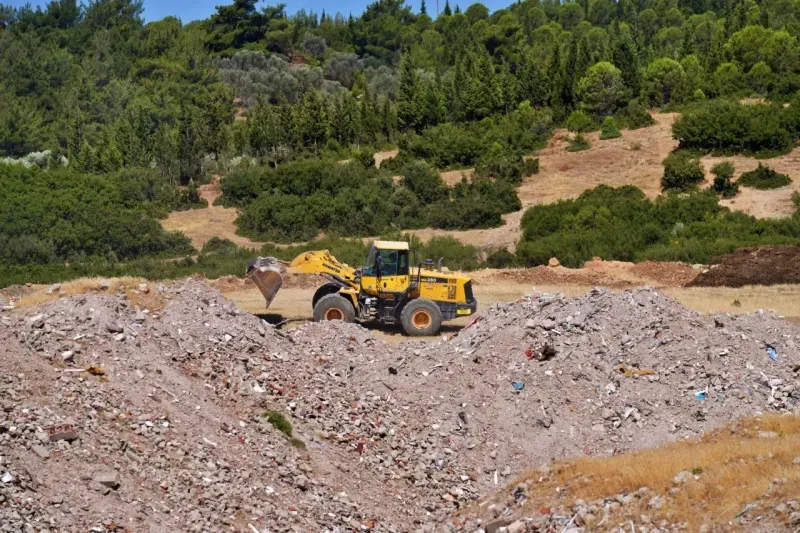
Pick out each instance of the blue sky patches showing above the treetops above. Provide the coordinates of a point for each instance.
(189, 10)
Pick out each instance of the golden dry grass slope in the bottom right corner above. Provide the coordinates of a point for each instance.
(734, 467)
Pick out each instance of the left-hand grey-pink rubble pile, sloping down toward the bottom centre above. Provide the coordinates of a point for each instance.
(107, 423)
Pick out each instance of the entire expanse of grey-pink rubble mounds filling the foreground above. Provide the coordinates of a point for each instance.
(115, 418)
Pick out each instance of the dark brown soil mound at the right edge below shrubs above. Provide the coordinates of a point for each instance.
(773, 265)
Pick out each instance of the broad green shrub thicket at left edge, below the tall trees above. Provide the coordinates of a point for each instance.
(49, 216)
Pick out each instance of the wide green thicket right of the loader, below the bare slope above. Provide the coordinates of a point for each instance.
(622, 224)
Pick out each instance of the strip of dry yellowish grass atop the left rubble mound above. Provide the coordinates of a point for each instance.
(152, 300)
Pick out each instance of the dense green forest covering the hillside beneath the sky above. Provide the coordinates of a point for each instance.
(118, 120)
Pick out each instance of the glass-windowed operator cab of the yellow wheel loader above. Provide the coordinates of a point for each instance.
(387, 268)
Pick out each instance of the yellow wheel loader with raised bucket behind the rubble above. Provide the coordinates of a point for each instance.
(389, 289)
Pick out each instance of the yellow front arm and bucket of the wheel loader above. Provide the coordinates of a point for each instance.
(267, 272)
